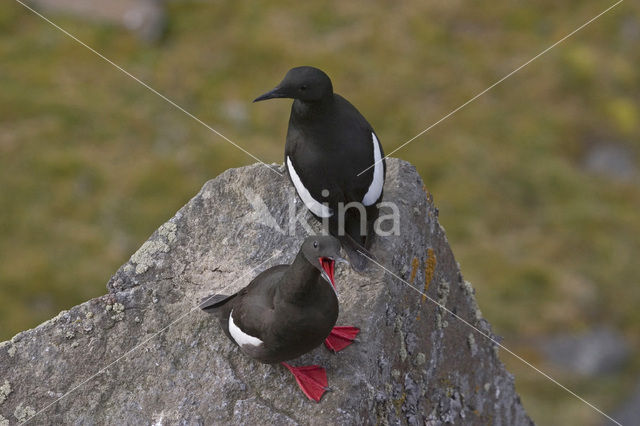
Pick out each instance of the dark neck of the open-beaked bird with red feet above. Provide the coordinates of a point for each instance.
(300, 281)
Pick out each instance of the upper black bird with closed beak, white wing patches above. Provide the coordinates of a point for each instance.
(329, 144)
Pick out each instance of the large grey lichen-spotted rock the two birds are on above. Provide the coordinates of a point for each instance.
(414, 363)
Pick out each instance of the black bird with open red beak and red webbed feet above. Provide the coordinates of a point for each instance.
(288, 310)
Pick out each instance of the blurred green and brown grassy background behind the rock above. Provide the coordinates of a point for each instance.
(91, 163)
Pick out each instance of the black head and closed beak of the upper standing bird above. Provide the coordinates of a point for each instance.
(307, 84)
